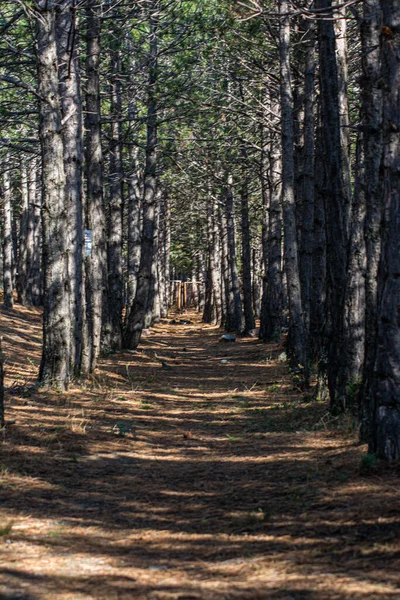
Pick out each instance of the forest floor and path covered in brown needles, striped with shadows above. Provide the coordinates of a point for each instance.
(213, 479)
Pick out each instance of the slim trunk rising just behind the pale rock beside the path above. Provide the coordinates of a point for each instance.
(236, 318)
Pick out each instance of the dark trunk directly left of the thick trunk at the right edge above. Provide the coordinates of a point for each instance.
(372, 106)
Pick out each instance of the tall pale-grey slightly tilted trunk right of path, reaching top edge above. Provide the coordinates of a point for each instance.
(296, 341)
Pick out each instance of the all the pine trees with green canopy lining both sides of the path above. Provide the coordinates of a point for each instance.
(162, 122)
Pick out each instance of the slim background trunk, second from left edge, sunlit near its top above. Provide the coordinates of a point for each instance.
(23, 255)
